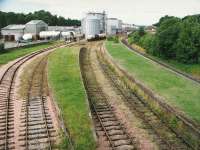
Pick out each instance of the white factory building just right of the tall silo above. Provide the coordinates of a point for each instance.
(114, 26)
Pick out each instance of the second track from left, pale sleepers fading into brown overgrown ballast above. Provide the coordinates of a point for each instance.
(37, 125)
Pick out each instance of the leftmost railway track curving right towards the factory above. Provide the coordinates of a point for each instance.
(6, 100)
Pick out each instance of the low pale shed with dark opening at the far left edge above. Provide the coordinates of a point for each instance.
(13, 32)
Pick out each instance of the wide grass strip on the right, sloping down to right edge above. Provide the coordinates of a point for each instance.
(178, 91)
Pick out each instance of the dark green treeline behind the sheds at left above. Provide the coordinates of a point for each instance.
(7, 18)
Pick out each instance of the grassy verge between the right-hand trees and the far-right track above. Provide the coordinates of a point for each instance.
(192, 69)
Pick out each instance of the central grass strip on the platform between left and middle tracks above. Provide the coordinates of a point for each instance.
(65, 80)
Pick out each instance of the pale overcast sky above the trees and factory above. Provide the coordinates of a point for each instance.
(140, 12)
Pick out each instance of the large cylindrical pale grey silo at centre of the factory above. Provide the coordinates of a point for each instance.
(92, 27)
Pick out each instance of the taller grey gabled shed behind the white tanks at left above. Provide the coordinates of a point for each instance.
(34, 27)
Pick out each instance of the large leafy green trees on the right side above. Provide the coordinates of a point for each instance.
(175, 38)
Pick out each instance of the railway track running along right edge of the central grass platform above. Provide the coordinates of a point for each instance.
(103, 114)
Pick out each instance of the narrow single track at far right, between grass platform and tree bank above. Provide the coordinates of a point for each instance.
(161, 63)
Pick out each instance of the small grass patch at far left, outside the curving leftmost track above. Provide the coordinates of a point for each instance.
(10, 55)
